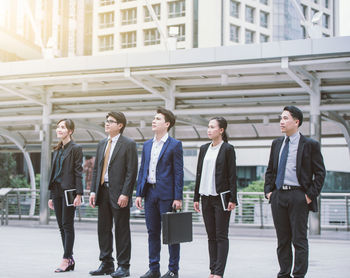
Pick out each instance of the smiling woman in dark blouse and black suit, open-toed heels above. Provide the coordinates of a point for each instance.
(66, 173)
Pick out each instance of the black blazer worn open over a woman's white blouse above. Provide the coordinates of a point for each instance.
(225, 171)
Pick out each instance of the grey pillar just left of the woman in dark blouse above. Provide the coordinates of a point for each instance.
(45, 164)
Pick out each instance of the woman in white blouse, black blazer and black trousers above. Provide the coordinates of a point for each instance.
(216, 173)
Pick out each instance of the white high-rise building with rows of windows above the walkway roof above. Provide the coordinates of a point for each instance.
(129, 25)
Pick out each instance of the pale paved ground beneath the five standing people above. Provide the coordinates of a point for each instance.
(28, 249)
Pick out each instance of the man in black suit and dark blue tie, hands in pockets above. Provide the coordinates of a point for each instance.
(293, 180)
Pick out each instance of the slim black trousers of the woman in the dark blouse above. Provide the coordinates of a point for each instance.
(65, 221)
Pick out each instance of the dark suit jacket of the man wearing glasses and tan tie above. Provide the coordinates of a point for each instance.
(122, 169)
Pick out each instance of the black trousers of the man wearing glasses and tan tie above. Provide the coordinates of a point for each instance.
(121, 218)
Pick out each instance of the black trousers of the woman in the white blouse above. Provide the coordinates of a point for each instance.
(216, 222)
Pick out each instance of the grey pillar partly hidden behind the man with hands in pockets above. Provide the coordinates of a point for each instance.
(315, 133)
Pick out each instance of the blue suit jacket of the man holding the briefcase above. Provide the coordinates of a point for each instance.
(169, 171)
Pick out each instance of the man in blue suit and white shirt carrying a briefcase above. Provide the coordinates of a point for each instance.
(160, 182)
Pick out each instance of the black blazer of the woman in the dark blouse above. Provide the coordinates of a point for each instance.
(71, 168)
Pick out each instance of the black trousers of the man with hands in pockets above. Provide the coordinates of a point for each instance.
(290, 215)
